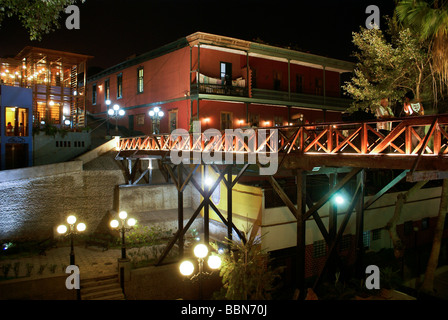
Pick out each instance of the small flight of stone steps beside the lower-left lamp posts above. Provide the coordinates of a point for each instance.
(101, 288)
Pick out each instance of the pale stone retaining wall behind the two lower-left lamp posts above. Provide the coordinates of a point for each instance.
(33, 207)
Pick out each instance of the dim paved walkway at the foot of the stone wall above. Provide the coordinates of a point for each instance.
(92, 262)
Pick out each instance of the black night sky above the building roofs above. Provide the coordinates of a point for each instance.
(112, 30)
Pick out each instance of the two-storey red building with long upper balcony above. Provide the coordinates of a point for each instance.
(222, 81)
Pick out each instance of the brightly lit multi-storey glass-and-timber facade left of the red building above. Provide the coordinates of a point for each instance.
(57, 80)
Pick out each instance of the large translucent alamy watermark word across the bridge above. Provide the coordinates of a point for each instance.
(236, 146)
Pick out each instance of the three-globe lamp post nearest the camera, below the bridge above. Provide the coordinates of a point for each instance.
(201, 252)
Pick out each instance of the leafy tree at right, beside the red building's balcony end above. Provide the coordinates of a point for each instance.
(388, 68)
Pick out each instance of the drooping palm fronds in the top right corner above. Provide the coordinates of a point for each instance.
(430, 21)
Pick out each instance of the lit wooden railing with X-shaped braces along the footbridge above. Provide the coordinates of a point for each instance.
(411, 135)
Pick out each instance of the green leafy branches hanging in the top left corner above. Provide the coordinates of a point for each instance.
(39, 17)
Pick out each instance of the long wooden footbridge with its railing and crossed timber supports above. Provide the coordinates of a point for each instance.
(416, 146)
